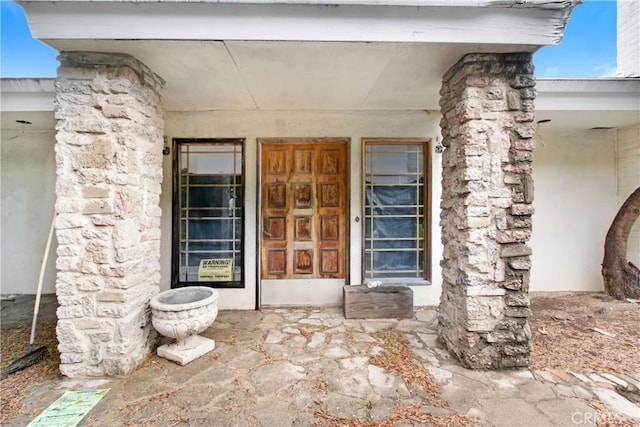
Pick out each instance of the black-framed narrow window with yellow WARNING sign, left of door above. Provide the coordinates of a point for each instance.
(208, 213)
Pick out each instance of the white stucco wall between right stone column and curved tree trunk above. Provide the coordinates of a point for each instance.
(575, 201)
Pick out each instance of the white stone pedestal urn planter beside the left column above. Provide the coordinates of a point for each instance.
(182, 314)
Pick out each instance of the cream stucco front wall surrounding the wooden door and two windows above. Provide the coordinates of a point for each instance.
(253, 125)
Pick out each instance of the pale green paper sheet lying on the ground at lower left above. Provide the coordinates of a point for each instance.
(69, 409)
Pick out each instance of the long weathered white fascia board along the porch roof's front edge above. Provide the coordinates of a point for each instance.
(532, 26)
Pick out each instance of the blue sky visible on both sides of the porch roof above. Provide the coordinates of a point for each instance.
(587, 50)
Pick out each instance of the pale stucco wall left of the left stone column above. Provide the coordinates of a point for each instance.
(28, 173)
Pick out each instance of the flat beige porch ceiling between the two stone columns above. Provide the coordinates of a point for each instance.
(264, 75)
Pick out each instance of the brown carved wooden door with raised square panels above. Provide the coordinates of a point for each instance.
(303, 213)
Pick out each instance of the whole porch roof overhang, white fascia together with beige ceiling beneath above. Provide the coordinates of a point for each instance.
(299, 55)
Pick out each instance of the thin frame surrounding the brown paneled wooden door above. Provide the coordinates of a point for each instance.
(260, 223)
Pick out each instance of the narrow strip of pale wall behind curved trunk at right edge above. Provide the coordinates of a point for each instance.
(628, 176)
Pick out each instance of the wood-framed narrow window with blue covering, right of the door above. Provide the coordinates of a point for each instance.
(396, 210)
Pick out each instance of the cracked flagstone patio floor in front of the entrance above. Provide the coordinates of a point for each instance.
(302, 367)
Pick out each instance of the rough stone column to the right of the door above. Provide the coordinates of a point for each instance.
(487, 106)
